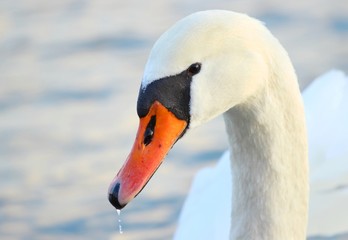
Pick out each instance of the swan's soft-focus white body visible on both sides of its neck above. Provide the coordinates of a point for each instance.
(326, 105)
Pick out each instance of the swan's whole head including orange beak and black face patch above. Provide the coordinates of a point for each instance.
(201, 67)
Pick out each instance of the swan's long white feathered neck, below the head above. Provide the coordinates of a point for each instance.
(267, 139)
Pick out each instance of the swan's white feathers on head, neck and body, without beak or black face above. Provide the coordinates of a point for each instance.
(260, 190)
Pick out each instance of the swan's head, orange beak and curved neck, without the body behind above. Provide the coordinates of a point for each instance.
(221, 62)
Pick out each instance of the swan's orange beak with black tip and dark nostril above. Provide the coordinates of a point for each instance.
(157, 133)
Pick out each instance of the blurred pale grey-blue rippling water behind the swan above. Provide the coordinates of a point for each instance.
(69, 75)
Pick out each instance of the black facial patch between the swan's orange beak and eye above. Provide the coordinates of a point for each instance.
(173, 92)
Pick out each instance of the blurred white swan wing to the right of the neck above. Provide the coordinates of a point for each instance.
(326, 104)
